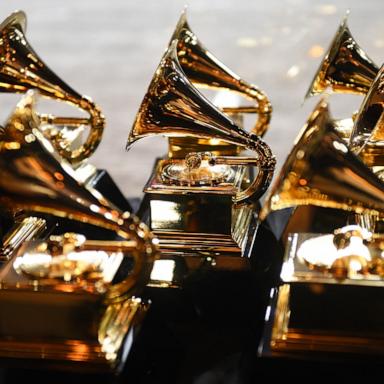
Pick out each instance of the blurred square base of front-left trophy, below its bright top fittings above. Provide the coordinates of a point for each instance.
(47, 324)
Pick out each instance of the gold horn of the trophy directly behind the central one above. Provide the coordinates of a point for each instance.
(204, 70)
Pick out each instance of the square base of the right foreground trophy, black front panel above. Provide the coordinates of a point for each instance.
(315, 316)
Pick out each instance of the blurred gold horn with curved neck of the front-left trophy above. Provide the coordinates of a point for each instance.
(34, 178)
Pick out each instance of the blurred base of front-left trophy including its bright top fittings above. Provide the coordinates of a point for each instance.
(63, 287)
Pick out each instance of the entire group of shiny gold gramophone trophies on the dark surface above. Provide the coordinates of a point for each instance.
(74, 259)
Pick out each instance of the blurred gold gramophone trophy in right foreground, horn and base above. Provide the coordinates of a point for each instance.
(326, 303)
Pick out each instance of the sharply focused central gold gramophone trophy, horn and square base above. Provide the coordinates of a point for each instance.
(201, 200)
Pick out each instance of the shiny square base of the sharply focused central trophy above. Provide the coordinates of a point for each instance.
(200, 220)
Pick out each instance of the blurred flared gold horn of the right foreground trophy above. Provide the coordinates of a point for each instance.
(322, 171)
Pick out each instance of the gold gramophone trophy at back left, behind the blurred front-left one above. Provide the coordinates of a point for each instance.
(21, 69)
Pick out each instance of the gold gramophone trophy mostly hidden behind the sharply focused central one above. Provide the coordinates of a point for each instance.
(204, 70)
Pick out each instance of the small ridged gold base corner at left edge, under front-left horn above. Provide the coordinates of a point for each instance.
(28, 229)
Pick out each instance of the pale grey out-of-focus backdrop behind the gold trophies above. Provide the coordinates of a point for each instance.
(109, 50)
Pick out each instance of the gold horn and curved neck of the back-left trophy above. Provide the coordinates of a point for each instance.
(21, 69)
